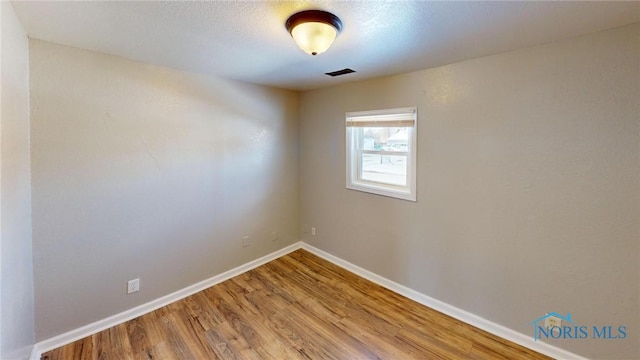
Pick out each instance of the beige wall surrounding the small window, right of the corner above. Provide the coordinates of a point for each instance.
(528, 185)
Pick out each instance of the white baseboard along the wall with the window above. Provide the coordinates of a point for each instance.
(456, 313)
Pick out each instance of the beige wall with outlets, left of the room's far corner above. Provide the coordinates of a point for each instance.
(143, 171)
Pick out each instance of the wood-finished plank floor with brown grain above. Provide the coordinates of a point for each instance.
(296, 307)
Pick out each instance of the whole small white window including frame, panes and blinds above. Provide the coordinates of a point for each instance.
(381, 152)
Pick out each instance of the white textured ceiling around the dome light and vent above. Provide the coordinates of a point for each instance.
(247, 41)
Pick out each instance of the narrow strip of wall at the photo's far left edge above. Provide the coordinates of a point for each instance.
(16, 272)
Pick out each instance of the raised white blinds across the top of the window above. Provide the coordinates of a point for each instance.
(403, 117)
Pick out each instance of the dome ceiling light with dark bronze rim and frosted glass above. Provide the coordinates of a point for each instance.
(313, 30)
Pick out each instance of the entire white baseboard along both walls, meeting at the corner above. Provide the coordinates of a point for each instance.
(467, 317)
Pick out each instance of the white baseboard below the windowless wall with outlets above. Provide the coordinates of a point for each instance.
(90, 329)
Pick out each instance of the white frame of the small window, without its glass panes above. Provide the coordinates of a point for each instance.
(399, 117)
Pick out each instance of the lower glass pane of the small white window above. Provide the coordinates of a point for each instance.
(388, 169)
